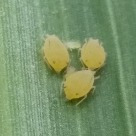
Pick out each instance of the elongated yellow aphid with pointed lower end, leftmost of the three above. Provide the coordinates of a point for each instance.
(55, 53)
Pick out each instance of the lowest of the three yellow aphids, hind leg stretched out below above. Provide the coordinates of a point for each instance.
(78, 84)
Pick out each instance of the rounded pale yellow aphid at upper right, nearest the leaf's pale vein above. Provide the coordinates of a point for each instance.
(92, 54)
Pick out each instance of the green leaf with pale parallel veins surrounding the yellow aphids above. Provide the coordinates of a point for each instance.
(31, 103)
